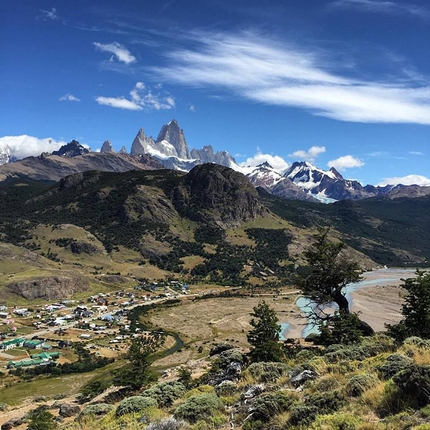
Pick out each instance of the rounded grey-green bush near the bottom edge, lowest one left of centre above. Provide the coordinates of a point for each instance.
(200, 407)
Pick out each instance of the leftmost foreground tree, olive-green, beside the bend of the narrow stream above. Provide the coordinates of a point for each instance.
(137, 372)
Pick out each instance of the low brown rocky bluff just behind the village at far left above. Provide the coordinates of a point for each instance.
(51, 288)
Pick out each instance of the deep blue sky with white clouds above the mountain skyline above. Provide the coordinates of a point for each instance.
(339, 83)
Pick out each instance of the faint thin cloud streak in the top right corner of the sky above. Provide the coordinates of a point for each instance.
(380, 6)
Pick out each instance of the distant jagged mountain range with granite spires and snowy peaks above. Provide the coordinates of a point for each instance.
(301, 181)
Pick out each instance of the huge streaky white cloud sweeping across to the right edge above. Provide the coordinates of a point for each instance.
(263, 70)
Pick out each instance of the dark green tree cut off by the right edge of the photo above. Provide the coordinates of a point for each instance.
(415, 309)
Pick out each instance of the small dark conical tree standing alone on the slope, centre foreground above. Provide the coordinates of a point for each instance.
(264, 337)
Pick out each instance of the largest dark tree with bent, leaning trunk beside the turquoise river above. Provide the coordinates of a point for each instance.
(327, 272)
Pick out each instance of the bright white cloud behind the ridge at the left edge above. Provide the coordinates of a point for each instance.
(26, 146)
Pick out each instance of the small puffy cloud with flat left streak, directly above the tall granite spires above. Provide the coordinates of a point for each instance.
(140, 98)
